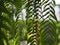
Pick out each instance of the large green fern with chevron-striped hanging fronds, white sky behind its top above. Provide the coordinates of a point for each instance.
(41, 28)
